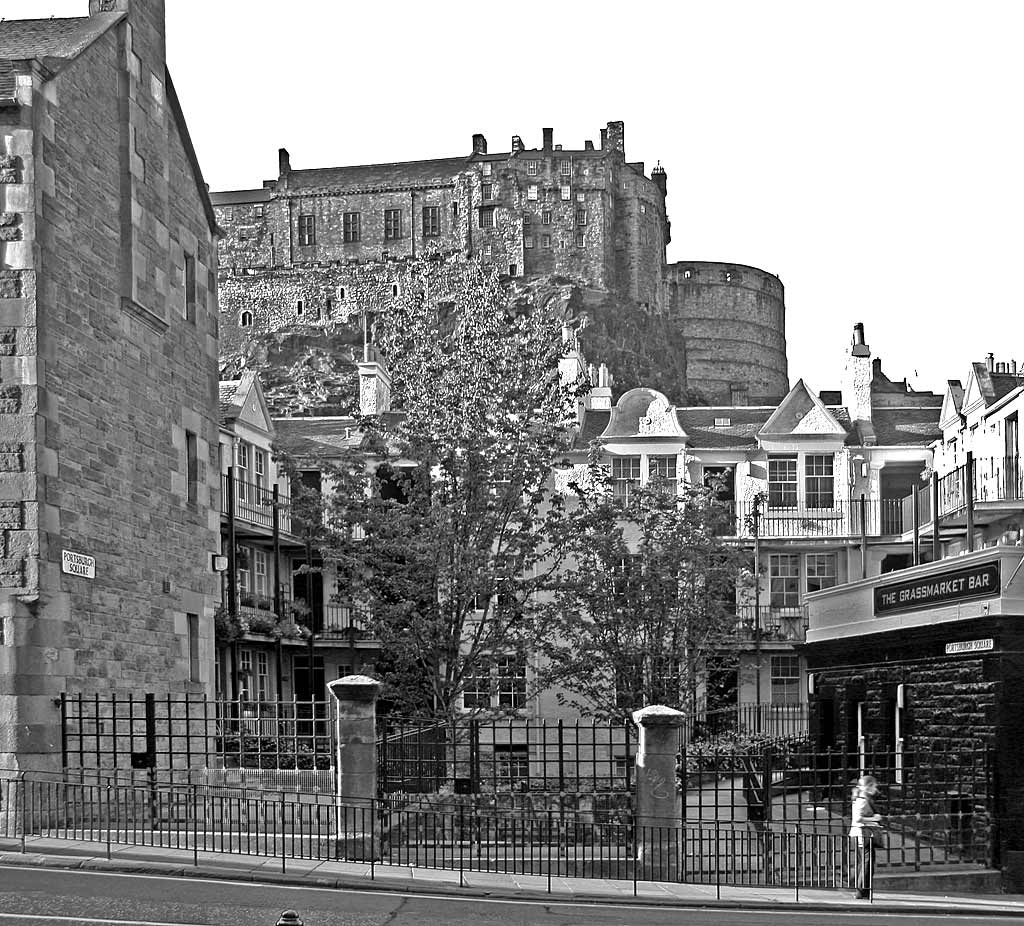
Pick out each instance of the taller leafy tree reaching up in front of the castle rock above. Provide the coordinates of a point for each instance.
(438, 523)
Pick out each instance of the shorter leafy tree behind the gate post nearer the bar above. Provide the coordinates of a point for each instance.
(647, 602)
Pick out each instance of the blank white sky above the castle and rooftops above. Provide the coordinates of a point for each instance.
(872, 155)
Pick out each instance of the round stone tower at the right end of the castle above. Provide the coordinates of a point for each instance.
(733, 319)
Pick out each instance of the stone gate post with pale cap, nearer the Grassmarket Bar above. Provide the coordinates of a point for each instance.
(659, 808)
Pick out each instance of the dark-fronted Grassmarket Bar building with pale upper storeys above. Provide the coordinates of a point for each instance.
(930, 661)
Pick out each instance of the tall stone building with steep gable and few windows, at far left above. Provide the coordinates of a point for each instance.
(108, 408)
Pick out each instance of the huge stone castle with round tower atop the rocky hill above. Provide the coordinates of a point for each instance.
(315, 247)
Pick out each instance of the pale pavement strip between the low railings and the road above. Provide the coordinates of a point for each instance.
(61, 854)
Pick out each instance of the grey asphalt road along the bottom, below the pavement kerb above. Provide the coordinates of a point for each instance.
(56, 898)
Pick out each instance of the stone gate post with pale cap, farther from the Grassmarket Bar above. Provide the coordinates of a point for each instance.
(359, 825)
